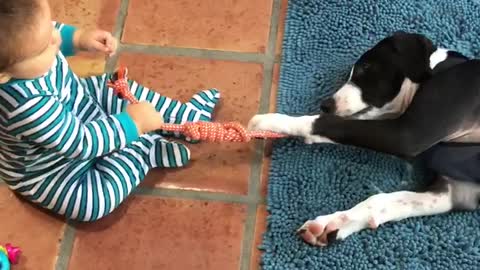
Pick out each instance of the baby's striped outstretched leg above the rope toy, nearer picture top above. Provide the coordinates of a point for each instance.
(199, 108)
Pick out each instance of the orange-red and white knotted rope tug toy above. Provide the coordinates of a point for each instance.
(205, 131)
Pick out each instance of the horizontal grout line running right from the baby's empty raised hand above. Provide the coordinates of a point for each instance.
(192, 52)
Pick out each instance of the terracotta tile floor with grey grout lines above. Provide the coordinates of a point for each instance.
(210, 215)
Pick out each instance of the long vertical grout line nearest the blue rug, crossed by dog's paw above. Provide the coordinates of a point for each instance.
(256, 171)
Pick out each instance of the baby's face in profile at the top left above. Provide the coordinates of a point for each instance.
(41, 46)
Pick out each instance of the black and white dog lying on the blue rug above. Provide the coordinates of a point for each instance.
(404, 97)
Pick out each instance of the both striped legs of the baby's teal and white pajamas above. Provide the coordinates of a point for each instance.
(89, 190)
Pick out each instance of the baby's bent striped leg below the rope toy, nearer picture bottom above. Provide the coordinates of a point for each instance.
(88, 192)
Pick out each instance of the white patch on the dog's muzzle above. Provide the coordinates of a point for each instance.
(349, 100)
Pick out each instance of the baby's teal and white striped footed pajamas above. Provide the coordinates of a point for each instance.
(67, 145)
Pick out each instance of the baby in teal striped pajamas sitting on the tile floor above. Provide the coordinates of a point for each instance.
(67, 143)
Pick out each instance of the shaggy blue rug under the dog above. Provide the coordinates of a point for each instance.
(322, 40)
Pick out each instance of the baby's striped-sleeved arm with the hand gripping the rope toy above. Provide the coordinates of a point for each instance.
(45, 121)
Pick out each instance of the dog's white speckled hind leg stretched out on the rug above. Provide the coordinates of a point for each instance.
(446, 194)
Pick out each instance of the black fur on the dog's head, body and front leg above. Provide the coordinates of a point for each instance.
(447, 101)
